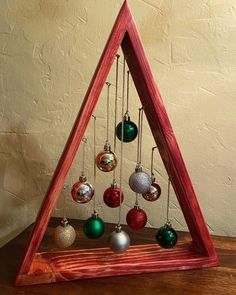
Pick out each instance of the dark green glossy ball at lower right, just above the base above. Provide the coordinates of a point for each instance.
(166, 236)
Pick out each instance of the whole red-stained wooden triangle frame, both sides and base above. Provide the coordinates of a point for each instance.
(37, 268)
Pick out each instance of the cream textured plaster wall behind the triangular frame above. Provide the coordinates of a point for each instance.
(48, 52)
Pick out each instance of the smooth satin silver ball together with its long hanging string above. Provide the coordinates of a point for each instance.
(119, 240)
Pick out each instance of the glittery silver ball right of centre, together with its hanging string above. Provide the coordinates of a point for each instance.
(139, 181)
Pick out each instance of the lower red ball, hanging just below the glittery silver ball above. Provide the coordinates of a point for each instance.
(136, 218)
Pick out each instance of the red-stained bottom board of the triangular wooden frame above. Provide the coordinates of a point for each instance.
(49, 267)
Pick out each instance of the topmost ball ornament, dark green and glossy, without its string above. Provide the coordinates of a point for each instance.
(130, 130)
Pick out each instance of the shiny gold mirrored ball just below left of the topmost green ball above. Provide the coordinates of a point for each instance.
(106, 160)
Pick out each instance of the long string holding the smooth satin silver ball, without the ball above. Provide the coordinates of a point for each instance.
(122, 139)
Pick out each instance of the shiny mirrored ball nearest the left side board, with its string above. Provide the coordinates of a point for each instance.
(82, 191)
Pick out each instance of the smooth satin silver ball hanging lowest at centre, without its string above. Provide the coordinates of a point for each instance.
(119, 240)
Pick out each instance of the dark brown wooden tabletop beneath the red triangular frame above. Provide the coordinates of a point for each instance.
(219, 280)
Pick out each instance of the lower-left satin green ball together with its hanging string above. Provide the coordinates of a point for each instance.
(94, 226)
